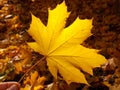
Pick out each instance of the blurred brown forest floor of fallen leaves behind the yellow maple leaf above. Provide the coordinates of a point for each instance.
(15, 18)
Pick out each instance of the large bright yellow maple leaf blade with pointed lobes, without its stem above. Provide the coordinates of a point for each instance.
(61, 46)
